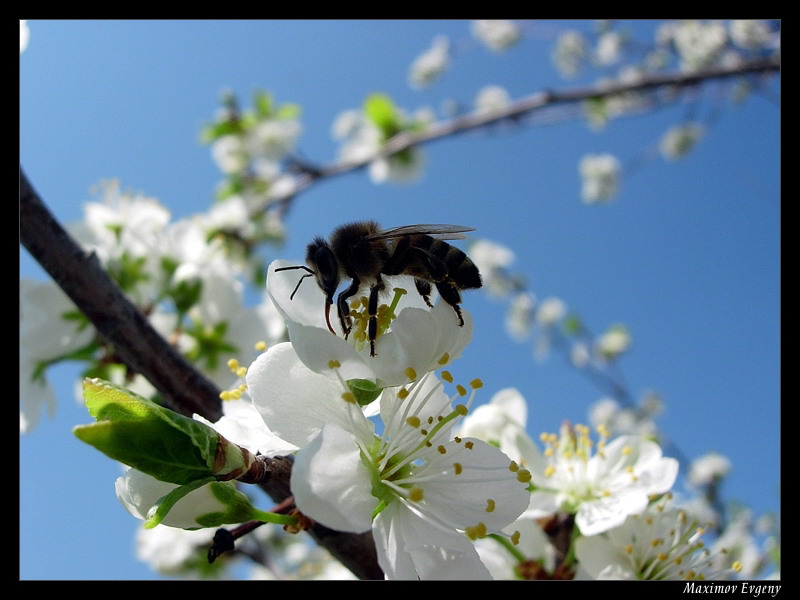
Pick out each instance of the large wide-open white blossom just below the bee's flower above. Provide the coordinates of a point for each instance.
(422, 492)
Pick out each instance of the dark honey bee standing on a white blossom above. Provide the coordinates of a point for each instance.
(364, 253)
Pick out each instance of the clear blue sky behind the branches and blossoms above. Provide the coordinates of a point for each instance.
(687, 256)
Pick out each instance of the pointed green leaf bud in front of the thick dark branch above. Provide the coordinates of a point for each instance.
(146, 436)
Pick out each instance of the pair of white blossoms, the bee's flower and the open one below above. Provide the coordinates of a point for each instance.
(377, 450)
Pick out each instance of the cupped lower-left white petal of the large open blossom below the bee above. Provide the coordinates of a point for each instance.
(331, 484)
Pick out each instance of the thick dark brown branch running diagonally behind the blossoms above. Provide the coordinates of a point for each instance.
(185, 390)
